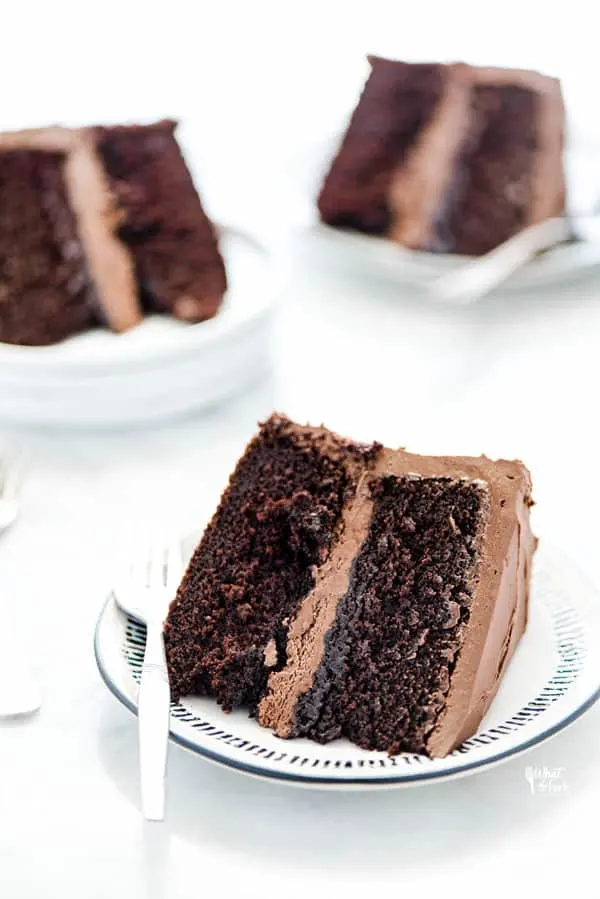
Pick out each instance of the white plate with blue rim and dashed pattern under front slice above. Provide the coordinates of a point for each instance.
(553, 678)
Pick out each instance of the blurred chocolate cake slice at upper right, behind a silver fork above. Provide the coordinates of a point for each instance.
(449, 158)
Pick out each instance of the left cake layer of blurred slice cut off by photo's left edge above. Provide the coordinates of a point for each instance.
(45, 290)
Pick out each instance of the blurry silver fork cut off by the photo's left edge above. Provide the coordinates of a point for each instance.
(19, 690)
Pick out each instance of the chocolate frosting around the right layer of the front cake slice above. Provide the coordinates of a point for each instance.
(498, 613)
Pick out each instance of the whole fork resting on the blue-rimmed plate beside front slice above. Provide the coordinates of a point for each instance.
(145, 593)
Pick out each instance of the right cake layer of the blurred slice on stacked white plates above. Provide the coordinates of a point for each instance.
(162, 222)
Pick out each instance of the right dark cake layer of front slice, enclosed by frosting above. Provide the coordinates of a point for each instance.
(400, 625)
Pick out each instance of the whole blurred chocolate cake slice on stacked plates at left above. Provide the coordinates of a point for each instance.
(98, 226)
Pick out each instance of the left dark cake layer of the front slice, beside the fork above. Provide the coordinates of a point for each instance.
(275, 525)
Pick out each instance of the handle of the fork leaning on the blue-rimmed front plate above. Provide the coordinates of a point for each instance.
(154, 702)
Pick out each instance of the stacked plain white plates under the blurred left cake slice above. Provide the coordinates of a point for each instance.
(161, 368)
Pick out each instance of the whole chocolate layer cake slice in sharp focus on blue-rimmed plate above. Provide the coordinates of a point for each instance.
(351, 590)
